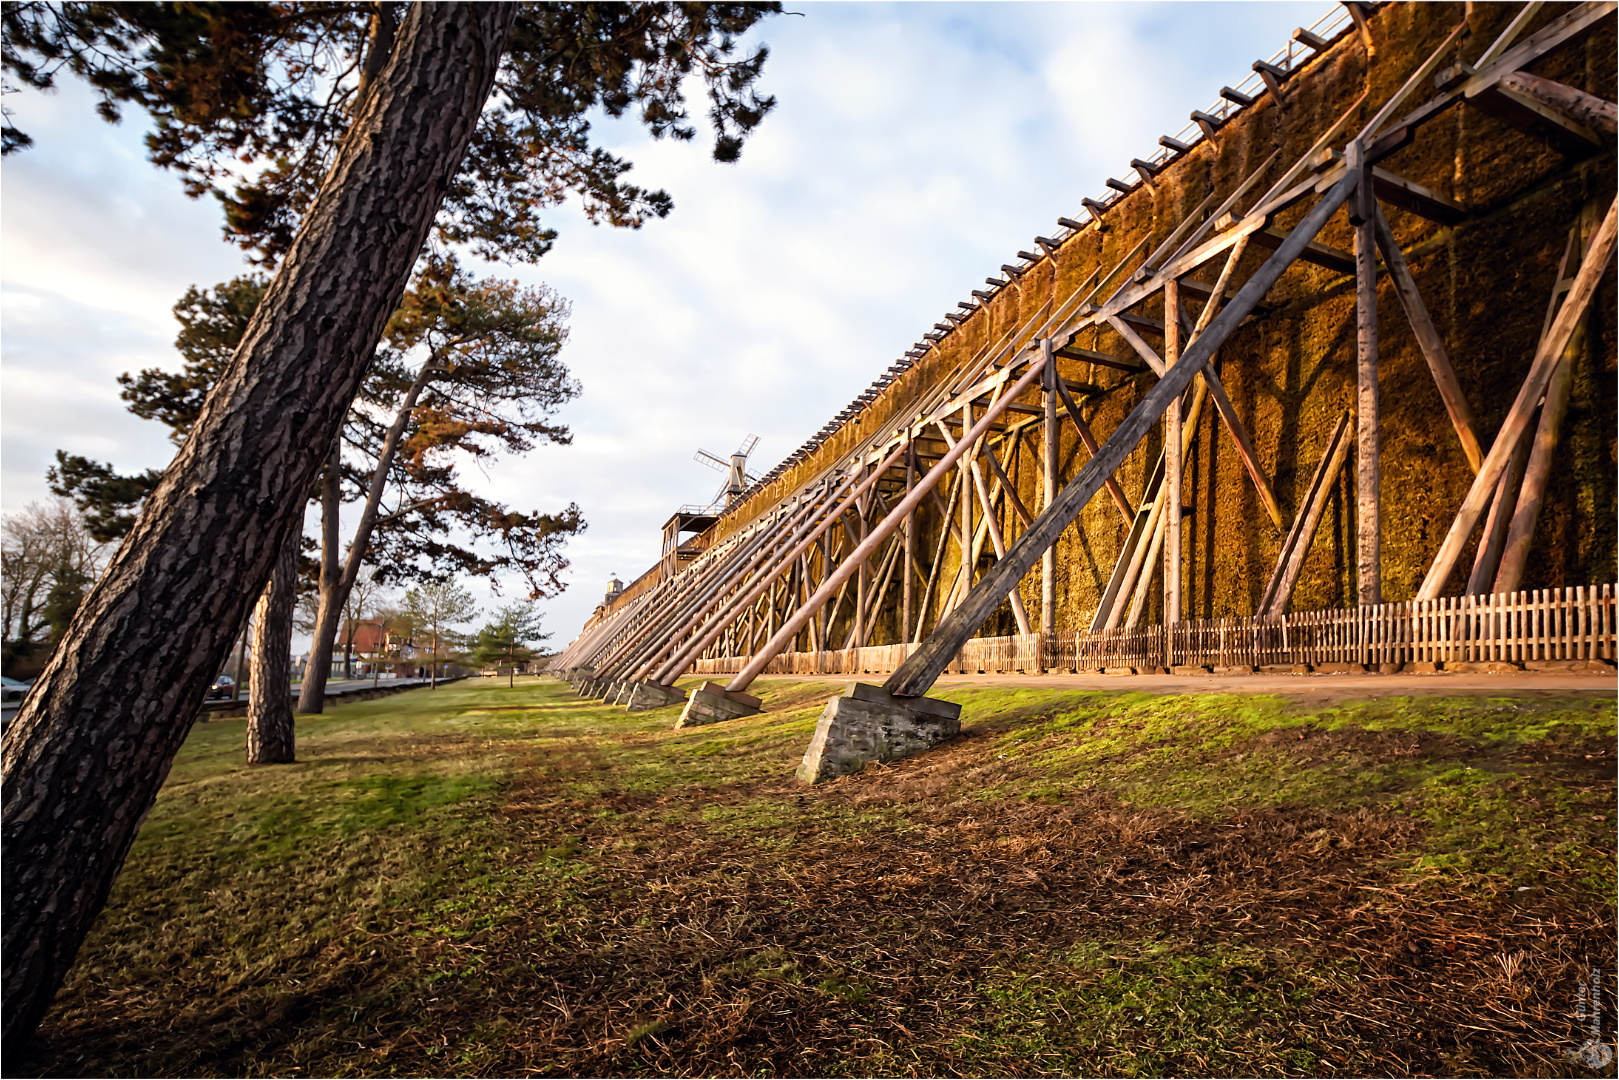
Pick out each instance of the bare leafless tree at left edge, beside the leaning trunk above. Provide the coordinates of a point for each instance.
(48, 561)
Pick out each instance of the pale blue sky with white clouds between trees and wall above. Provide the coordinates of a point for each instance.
(916, 148)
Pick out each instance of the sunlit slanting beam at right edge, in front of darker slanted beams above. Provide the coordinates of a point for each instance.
(1523, 409)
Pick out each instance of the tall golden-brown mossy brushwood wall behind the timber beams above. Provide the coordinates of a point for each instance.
(1291, 372)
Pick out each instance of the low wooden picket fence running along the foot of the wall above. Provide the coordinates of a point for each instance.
(1571, 624)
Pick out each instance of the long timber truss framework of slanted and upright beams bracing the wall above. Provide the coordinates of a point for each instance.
(920, 534)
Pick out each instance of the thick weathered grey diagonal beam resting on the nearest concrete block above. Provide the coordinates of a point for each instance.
(924, 668)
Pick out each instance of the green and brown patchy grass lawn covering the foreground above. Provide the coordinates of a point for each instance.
(491, 882)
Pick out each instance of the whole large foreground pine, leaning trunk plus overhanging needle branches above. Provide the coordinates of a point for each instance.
(362, 135)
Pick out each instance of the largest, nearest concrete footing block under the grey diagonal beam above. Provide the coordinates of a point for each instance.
(867, 725)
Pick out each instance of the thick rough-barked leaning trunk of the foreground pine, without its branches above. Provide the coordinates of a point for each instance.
(93, 744)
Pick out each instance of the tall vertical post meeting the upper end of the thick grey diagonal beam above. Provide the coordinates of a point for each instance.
(1369, 534)
